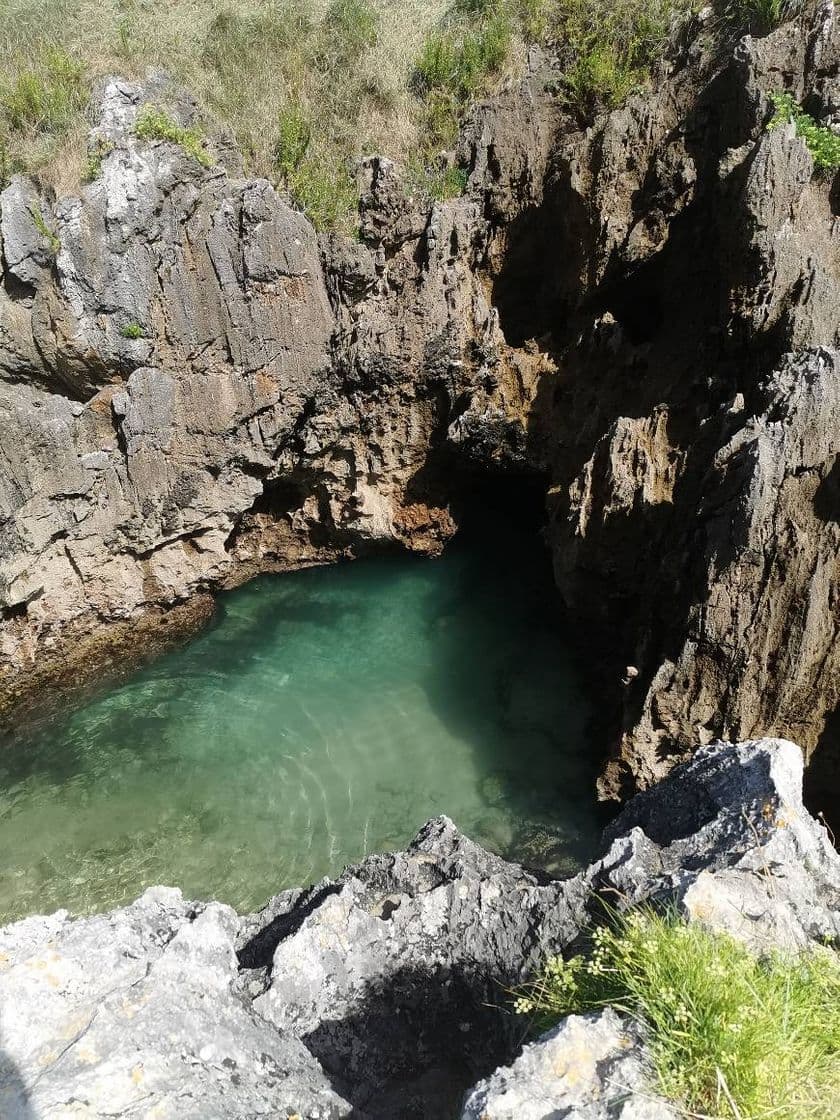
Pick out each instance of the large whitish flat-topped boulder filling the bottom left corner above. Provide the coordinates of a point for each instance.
(136, 1014)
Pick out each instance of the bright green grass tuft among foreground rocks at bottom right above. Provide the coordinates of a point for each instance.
(732, 1037)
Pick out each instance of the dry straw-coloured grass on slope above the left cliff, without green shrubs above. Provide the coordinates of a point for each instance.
(347, 64)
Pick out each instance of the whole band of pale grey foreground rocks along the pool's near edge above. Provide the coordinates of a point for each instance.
(384, 993)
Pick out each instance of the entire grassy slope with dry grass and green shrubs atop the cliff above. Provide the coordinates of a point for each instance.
(307, 87)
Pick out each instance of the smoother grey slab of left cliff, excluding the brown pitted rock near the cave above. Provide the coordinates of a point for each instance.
(128, 463)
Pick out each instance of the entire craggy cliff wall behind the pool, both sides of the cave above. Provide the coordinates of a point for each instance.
(197, 388)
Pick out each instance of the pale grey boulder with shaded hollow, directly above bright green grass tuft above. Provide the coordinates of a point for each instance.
(727, 836)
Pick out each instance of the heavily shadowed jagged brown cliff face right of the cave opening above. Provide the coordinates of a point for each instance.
(690, 431)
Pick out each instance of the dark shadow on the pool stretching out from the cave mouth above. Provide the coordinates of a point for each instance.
(506, 679)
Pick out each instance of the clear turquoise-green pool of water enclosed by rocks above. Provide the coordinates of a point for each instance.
(328, 714)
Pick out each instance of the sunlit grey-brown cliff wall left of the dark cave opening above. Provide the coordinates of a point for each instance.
(193, 389)
